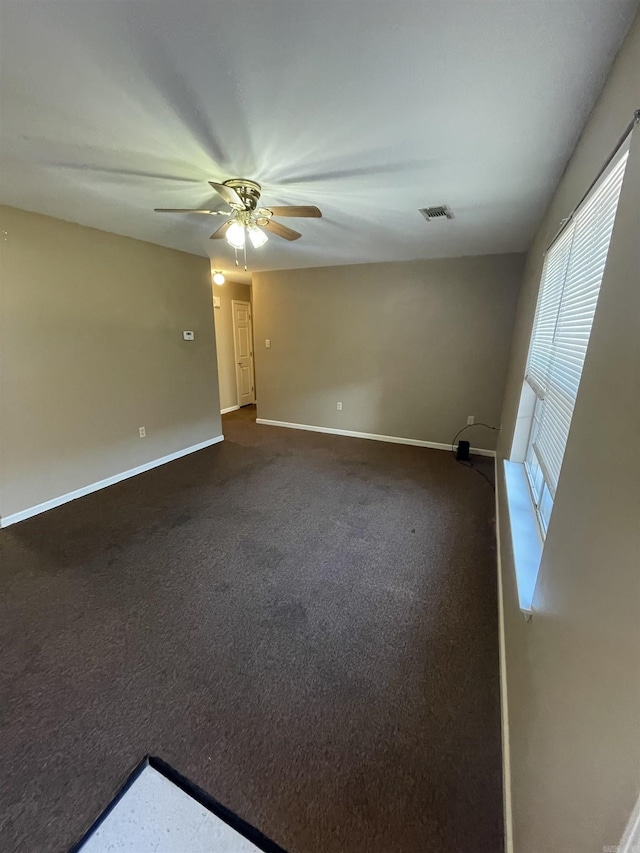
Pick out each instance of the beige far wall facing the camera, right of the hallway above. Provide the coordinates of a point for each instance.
(410, 349)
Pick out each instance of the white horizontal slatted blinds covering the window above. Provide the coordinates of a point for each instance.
(571, 278)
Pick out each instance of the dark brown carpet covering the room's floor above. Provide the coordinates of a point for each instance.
(304, 625)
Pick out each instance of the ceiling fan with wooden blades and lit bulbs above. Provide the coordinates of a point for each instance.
(245, 217)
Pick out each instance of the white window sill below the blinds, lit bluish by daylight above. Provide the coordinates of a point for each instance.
(525, 534)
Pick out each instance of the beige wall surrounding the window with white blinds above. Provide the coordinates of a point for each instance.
(574, 671)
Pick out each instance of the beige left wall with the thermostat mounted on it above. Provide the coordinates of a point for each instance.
(91, 346)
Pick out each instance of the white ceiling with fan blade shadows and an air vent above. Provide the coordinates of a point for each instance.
(369, 109)
